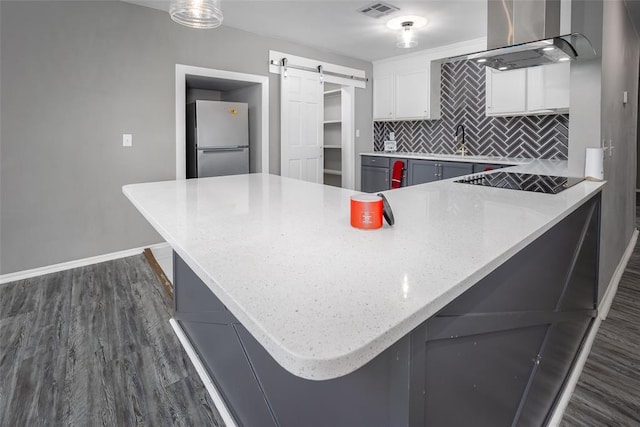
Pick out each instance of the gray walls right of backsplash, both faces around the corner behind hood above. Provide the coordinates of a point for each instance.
(597, 113)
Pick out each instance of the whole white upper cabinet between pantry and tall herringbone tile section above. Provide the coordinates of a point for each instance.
(402, 89)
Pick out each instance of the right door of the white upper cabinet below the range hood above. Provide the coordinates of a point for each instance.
(548, 87)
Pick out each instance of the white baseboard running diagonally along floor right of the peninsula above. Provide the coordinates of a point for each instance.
(603, 310)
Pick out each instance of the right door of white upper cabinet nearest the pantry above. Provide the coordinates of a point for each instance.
(412, 94)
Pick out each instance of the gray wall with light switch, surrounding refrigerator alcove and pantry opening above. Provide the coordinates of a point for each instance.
(74, 77)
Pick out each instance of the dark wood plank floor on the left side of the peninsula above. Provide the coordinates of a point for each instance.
(93, 346)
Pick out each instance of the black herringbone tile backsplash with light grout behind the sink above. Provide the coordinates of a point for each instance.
(463, 101)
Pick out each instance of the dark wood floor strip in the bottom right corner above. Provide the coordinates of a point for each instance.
(608, 392)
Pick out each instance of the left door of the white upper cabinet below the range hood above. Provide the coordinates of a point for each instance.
(506, 91)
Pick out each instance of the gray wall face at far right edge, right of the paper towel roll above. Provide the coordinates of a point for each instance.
(620, 56)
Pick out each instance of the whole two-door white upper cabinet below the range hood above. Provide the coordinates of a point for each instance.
(528, 91)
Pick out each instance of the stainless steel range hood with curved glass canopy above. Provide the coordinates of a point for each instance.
(526, 33)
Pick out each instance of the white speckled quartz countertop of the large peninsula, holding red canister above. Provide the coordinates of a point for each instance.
(322, 297)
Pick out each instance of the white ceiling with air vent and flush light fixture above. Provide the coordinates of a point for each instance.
(336, 26)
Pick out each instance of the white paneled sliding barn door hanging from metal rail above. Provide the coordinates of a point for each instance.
(301, 125)
